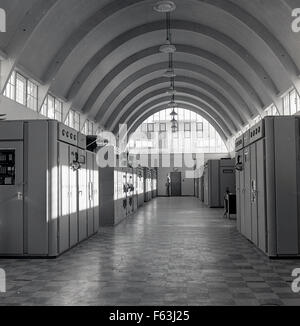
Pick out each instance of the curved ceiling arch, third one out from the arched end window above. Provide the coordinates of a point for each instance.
(118, 113)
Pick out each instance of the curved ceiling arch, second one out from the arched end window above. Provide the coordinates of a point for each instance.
(188, 93)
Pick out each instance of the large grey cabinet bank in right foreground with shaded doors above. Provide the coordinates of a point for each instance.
(268, 181)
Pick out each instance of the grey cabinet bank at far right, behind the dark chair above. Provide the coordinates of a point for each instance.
(218, 177)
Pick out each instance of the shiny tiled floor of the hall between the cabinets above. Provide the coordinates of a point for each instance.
(173, 252)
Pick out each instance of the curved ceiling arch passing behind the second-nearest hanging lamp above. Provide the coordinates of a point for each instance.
(226, 67)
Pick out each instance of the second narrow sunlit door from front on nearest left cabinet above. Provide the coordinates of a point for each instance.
(73, 199)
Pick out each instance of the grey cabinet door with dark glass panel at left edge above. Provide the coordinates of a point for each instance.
(11, 198)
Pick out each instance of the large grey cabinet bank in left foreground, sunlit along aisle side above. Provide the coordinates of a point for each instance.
(48, 188)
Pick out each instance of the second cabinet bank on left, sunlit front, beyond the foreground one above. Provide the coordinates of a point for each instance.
(118, 195)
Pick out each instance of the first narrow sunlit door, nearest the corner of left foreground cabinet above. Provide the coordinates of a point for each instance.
(64, 218)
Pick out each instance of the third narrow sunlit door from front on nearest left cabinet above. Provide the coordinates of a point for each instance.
(82, 197)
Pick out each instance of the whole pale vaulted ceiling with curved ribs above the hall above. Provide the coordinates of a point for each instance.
(234, 57)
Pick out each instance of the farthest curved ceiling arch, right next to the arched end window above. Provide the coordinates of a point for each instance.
(198, 102)
